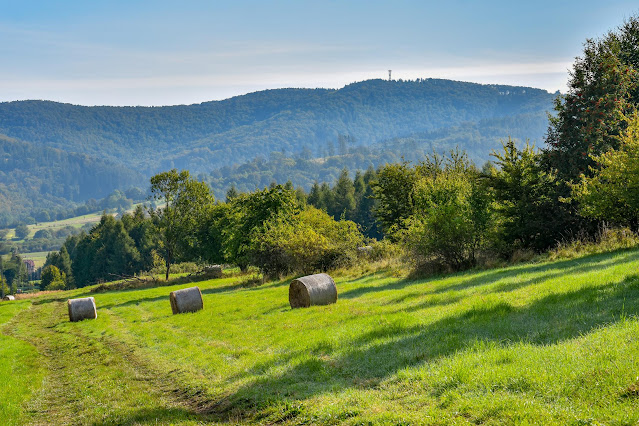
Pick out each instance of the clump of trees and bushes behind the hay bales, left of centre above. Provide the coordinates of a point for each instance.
(254, 228)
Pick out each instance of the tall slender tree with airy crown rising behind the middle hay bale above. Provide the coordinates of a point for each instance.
(186, 201)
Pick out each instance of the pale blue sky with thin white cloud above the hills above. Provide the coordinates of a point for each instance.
(184, 52)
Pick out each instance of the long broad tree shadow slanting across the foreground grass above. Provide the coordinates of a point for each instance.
(384, 351)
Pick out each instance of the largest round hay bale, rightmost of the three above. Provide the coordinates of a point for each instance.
(311, 290)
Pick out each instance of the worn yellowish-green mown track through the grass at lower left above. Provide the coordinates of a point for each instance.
(94, 380)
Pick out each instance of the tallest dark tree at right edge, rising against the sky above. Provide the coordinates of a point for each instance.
(602, 90)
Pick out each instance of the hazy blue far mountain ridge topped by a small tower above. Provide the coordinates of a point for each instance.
(204, 136)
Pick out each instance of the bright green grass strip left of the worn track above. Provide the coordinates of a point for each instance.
(21, 372)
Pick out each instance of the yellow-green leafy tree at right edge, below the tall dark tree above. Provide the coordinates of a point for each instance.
(610, 192)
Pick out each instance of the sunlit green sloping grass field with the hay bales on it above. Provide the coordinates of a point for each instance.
(549, 343)
